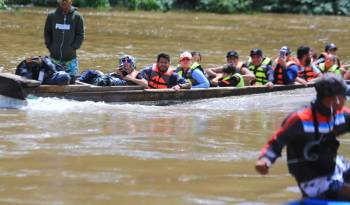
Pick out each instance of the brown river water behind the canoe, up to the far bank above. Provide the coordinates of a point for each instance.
(145, 34)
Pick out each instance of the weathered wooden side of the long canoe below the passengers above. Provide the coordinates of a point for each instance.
(159, 96)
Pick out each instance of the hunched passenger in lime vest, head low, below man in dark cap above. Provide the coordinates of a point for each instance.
(231, 78)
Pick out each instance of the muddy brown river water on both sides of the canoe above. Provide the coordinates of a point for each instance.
(55, 151)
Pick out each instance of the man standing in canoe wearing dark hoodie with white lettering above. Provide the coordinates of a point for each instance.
(64, 34)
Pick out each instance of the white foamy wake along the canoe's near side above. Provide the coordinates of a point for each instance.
(285, 101)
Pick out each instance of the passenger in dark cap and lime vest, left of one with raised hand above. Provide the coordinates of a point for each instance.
(261, 67)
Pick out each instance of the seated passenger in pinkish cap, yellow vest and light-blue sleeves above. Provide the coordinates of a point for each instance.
(193, 73)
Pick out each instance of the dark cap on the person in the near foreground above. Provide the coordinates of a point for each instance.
(331, 85)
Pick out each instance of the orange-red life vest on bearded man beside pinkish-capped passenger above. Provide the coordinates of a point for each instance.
(158, 79)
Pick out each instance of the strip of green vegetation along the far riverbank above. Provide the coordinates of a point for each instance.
(335, 7)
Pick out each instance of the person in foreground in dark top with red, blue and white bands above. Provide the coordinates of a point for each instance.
(310, 137)
